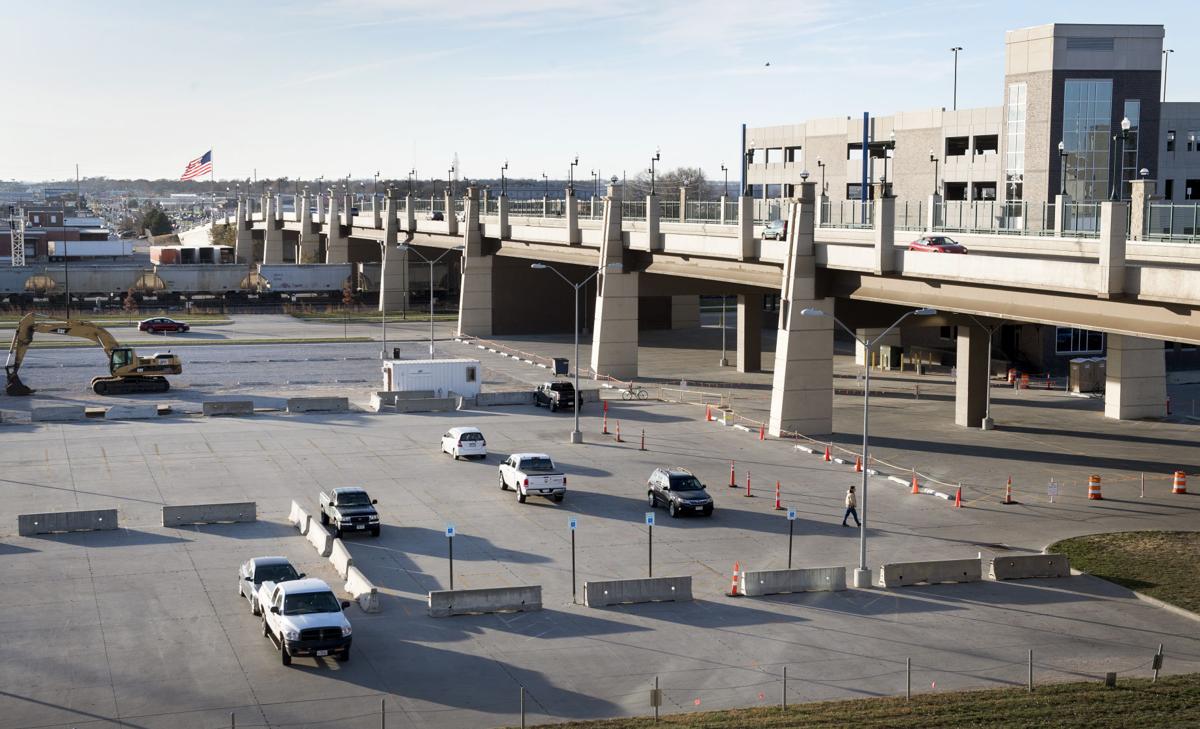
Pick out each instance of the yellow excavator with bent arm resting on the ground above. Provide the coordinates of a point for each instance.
(128, 371)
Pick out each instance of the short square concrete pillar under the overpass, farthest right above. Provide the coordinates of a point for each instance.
(1136, 378)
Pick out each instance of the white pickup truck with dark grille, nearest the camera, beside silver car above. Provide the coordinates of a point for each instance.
(304, 618)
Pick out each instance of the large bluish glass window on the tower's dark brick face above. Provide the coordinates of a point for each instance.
(1087, 135)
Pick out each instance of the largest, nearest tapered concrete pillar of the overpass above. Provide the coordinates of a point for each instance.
(802, 393)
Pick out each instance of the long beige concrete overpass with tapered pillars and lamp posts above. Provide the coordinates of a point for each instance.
(1139, 293)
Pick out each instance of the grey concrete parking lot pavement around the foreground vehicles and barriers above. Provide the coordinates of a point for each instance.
(143, 628)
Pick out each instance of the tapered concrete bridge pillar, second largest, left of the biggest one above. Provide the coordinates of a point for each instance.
(615, 330)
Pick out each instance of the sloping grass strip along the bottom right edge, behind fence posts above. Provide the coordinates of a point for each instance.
(1173, 702)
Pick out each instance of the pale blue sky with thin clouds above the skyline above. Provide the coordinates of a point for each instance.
(337, 88)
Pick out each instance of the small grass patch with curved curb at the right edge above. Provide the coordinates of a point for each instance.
(1165, 565)
